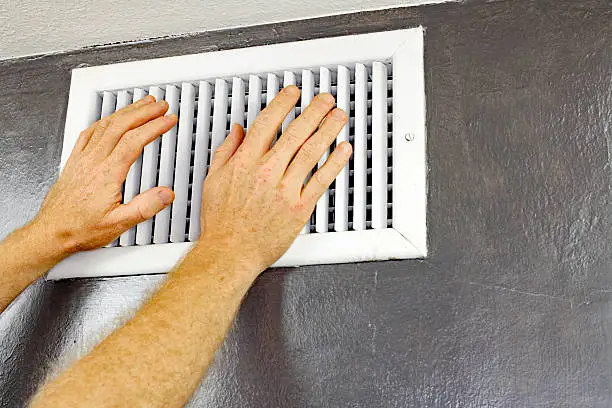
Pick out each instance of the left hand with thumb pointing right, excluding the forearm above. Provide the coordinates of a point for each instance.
(84, 209)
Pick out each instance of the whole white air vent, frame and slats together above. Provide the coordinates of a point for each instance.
(376, 208)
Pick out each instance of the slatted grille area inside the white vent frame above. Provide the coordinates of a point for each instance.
(361, 197)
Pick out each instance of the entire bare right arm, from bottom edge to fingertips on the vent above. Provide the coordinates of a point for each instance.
(255, 203)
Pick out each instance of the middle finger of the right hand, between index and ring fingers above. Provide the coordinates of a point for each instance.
(300, 130)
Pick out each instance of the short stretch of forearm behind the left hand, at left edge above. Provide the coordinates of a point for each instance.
(25, 255)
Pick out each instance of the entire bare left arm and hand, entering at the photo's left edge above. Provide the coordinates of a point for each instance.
(83, 209)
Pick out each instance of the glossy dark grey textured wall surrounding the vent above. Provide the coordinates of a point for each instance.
(512, 309)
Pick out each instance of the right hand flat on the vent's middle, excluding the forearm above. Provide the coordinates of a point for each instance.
(254, 199)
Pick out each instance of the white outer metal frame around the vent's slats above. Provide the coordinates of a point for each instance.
(404, 48)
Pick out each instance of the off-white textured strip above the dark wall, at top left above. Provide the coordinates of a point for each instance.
(29, 27)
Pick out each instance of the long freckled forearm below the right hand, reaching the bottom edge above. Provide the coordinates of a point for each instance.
(159, 357)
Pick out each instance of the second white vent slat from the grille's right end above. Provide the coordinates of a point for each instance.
(360, 146)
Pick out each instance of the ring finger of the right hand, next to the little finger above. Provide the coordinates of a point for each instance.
(311, 151)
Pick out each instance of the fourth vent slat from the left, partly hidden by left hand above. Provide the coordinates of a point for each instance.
(148, 179)
